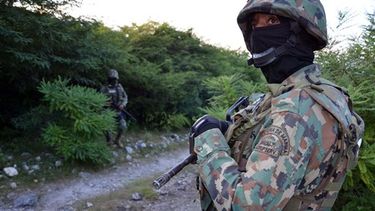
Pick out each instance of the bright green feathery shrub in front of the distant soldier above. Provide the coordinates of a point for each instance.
(78, 134)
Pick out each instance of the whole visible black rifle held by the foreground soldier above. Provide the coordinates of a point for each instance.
(163, 179)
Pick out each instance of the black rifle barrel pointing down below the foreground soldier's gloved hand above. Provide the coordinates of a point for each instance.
(163, 179)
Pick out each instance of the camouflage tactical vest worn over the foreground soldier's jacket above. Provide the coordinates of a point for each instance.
(247, 124)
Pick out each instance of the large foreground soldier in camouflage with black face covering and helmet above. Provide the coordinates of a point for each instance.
(291, 149)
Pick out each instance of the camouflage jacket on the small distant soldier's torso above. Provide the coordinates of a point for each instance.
(116, 94)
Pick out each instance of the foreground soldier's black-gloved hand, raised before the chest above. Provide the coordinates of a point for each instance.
(202, 125)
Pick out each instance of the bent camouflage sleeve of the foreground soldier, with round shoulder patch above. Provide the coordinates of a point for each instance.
(273, 171)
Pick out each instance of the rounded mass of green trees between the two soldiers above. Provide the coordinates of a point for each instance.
(168, 68)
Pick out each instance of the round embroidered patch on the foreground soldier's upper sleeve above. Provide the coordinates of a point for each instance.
(274, 141)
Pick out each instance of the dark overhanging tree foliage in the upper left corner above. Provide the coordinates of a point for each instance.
(35, 46)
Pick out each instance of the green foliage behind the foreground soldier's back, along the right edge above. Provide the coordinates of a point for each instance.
(354, 68)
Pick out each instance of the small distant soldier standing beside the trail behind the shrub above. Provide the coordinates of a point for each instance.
(118, 100)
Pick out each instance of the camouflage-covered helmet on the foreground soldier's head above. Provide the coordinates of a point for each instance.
(309, 14)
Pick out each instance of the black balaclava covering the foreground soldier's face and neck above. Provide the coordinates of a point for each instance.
(299, 51)
